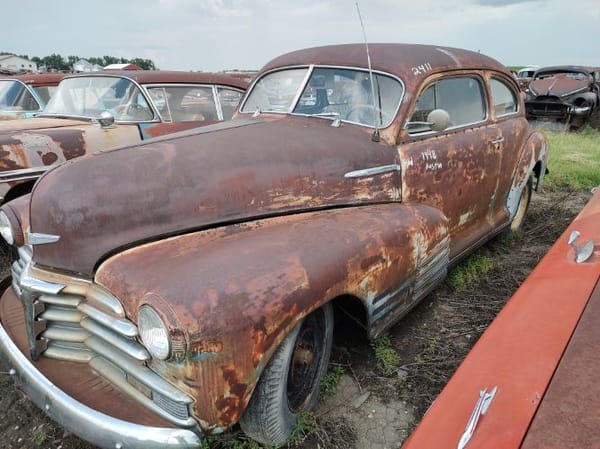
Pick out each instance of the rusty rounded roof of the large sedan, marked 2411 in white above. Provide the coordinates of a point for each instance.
(402, 60)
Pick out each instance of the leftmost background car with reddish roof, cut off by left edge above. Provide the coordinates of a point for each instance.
(24, 96)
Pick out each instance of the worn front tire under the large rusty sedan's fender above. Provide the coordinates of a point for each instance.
(291, 381)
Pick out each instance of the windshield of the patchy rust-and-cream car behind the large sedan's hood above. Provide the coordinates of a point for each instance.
(89, 96)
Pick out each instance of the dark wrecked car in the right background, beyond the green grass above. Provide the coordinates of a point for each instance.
(564, 97)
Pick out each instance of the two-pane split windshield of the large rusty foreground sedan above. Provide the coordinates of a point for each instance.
(328, 92)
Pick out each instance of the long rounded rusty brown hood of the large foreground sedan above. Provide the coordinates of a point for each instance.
(230, 172)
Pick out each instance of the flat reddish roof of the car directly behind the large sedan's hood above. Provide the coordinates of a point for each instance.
(171, 76)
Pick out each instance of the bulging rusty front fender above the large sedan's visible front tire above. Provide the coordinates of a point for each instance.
(230, 295)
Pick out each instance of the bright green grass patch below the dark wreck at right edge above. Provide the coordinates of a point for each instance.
(574, 161)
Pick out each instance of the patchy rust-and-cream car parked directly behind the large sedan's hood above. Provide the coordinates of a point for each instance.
(102, 110)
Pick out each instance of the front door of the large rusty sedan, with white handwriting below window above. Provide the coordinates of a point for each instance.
(455, 169)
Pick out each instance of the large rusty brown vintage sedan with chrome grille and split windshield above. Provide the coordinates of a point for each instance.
(172, 289)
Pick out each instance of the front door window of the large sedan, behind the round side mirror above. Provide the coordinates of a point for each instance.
(462, 97)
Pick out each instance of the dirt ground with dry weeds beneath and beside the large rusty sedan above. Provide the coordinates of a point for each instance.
(368, 409)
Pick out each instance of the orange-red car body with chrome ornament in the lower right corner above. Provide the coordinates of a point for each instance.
(530, 382)
